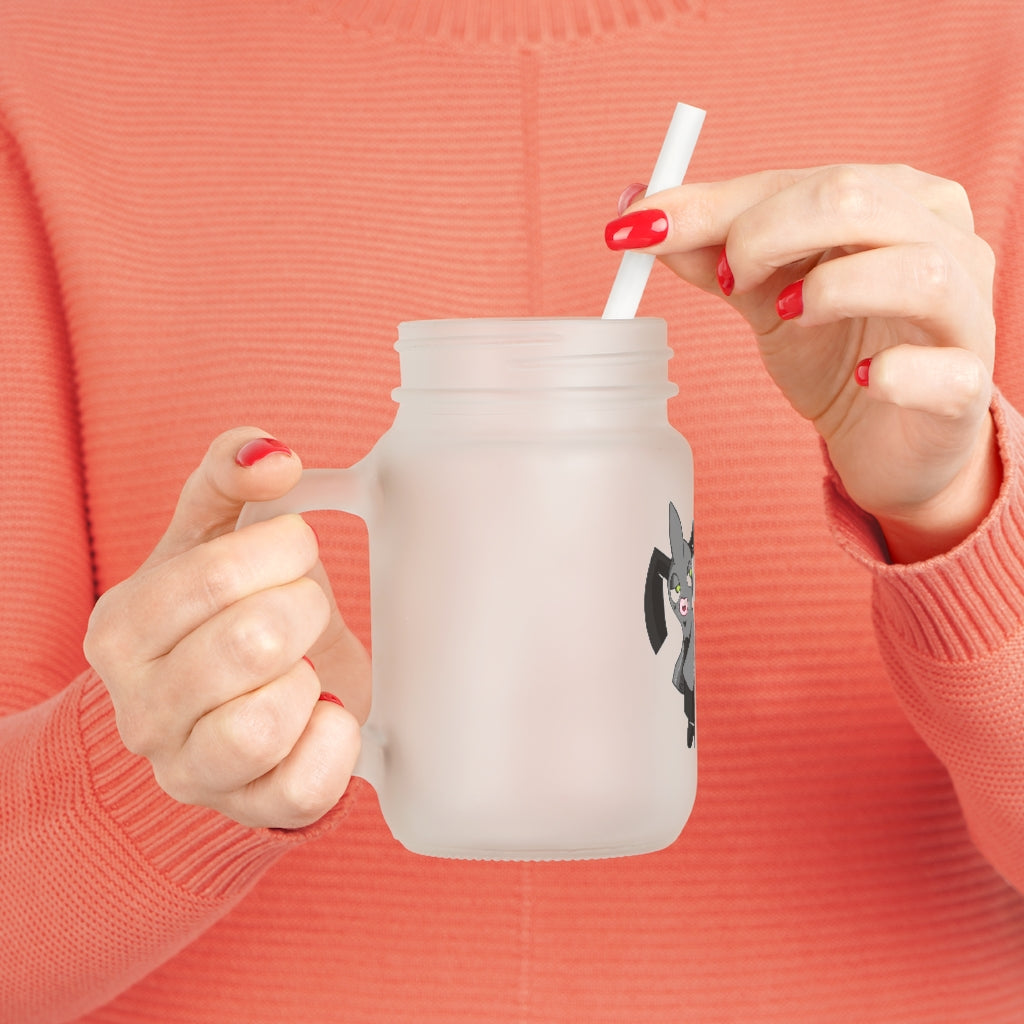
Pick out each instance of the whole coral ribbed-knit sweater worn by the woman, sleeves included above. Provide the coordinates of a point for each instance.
(216, 214)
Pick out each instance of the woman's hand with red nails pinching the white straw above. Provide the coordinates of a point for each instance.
(871, 298)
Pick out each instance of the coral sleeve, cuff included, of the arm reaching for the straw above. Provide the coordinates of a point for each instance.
(952, 632)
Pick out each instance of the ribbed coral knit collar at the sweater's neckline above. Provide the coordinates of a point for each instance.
(520, 22)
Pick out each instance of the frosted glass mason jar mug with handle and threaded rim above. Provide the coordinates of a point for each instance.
(531, 525)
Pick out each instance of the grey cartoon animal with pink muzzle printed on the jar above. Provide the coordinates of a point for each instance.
(677, 571)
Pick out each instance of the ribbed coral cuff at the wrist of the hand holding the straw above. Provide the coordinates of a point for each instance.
(963, 605)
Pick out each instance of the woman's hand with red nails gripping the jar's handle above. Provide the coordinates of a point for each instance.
(203, 651)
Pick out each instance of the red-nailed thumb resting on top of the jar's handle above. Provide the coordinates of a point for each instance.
(242, 465)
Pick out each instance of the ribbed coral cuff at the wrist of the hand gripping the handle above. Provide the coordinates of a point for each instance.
(196, 849)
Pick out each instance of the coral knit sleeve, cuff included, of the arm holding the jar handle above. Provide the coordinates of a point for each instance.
(103, 877)
